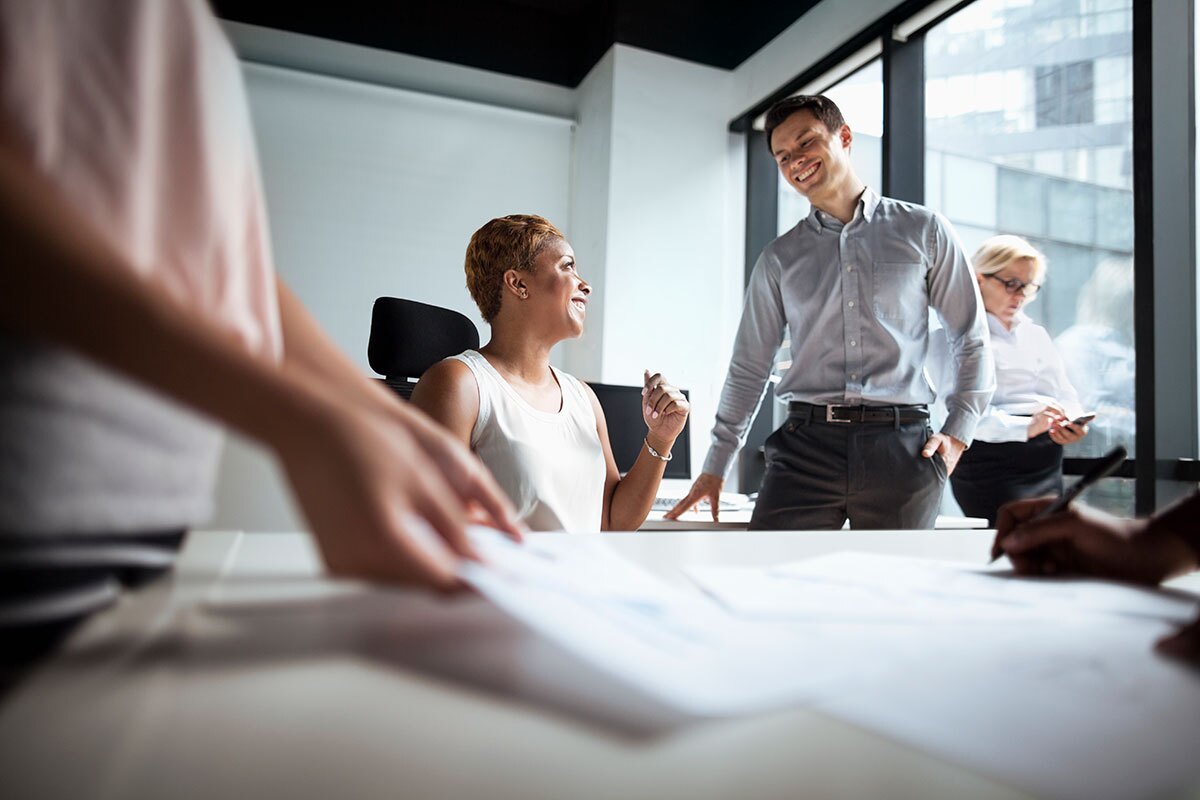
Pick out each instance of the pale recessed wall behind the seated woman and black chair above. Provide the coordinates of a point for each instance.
(376, 191)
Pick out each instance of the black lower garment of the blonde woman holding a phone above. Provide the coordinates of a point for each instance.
(992, 474)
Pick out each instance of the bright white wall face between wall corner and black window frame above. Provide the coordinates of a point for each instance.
(673, 280)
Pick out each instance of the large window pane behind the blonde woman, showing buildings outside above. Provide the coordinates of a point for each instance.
(1029, 109)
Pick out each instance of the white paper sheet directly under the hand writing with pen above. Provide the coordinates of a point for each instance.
(871, 588)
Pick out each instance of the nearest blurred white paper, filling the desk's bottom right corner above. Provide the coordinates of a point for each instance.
(1079, 713)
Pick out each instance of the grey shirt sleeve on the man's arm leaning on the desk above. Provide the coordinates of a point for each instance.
(759, 339)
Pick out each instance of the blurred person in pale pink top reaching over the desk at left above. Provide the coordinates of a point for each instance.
(141, 315)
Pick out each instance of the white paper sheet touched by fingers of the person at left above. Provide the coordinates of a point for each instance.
(677, 648)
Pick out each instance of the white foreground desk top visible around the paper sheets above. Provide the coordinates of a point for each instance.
(268, 682)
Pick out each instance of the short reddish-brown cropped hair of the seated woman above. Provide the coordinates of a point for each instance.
(505, 244)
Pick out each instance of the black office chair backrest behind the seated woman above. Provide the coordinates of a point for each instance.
(409, 338)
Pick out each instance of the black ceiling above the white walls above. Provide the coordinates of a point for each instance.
(557, 41)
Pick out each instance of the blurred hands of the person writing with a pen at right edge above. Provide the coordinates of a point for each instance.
(1089, 543)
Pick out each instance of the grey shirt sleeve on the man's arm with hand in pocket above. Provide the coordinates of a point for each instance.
(955, 296)
